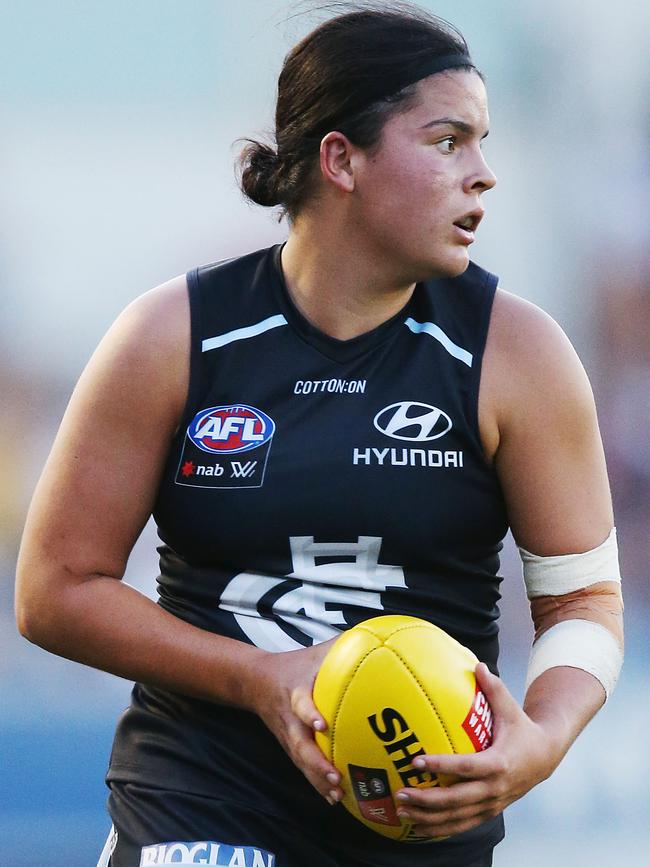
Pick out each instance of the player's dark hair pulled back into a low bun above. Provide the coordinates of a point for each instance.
(330, 81)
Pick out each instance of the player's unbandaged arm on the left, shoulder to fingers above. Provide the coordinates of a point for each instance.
(94, 497)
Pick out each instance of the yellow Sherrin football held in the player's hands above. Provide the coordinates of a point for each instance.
(392, 688)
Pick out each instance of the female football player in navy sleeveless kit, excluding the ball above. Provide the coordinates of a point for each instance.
(340, 426)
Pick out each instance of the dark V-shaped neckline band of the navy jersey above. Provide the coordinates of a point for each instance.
(336, 350)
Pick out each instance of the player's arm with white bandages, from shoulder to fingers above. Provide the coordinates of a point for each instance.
(539, 426)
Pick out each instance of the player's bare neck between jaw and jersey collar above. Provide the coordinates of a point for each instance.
(340, 286)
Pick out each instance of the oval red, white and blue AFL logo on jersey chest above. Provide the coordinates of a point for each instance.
(230, 429)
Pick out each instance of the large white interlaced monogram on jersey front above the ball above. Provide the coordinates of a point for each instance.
(307, 606)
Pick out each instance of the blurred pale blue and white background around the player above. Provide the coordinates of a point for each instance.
(117, 124)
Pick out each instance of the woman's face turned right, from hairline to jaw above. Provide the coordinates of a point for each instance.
(427, 174)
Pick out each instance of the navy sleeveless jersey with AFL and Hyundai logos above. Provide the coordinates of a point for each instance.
(314, 483)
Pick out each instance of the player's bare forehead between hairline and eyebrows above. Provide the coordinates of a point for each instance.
(460, 94)
